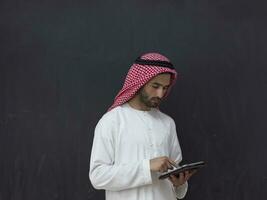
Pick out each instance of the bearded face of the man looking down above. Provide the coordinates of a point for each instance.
(153, 92)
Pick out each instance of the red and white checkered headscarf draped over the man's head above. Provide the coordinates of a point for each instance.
(140, 73)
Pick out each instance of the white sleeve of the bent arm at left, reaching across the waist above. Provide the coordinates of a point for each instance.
(104, 173)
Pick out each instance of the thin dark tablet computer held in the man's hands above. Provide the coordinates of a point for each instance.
(183, 168)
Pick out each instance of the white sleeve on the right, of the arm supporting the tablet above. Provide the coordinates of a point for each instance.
(176, 154)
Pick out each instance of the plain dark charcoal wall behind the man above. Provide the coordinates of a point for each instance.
(62, 63)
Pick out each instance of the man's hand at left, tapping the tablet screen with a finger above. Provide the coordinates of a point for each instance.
(161, 164)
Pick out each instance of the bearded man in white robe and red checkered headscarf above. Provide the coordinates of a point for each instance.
(134, 142)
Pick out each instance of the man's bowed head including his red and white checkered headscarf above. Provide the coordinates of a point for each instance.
(147, 69)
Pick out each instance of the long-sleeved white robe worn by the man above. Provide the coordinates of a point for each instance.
(124, 142)
